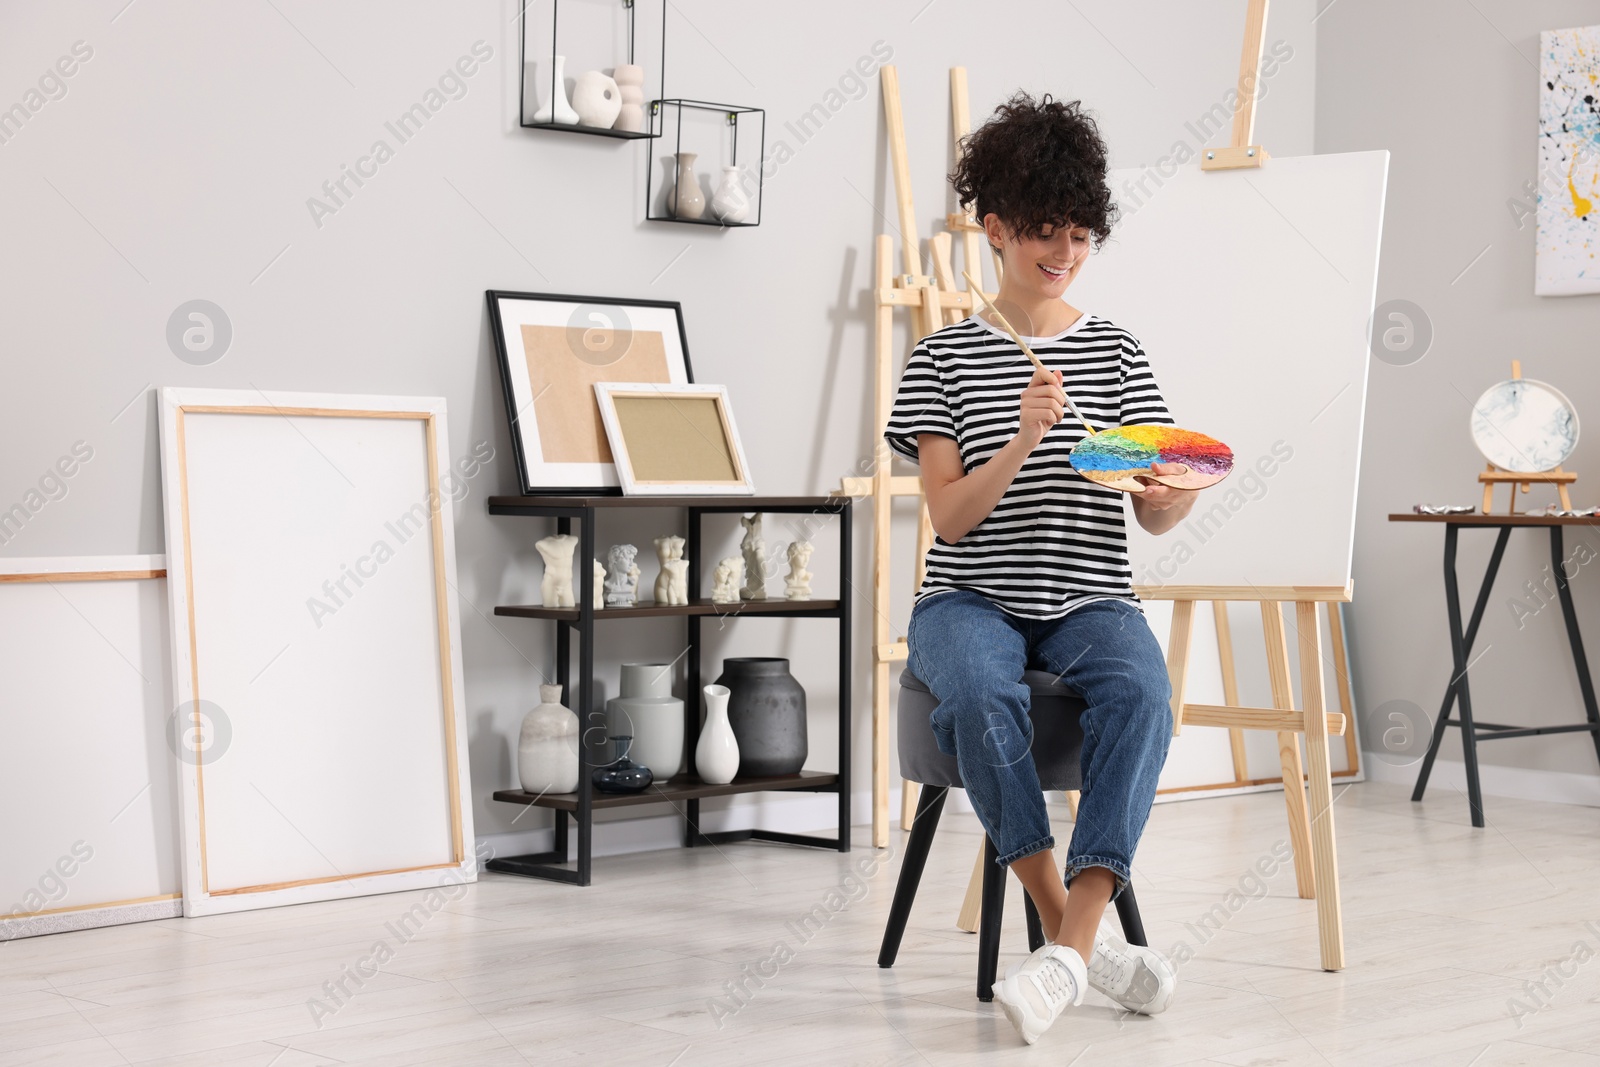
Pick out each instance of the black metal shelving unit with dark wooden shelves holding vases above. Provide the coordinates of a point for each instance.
(686, 789)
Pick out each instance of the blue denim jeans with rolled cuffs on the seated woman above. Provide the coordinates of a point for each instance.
(972, 655)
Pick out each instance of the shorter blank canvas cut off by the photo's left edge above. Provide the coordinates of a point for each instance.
(89, 777)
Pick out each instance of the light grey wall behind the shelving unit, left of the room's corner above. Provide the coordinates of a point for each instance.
(180, 162)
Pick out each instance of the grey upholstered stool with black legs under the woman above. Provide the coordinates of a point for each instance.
(1058, 746)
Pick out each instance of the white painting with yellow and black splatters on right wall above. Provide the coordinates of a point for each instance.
(1569, 262)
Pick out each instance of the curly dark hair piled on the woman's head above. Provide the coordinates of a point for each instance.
(1038, 164)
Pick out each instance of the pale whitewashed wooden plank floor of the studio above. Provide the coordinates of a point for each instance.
(1444, 929)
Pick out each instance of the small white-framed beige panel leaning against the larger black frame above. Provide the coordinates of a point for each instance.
(674, 439)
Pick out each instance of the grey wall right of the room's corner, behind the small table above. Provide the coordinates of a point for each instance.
(1452, 90)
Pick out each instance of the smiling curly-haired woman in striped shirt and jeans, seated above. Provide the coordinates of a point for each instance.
(1031, 564)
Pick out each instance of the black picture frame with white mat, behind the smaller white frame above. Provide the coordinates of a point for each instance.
(553, 350)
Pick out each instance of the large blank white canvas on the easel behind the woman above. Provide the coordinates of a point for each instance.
(1252, 294)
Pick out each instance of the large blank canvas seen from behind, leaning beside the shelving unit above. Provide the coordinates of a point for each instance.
(311, 559)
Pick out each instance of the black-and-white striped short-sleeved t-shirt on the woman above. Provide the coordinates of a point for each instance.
(1055, 541)
